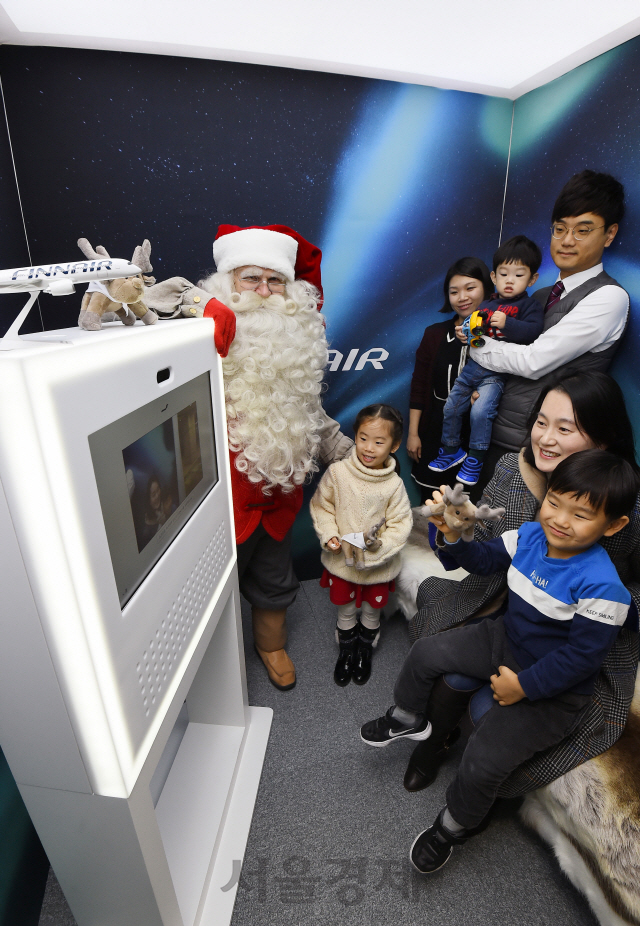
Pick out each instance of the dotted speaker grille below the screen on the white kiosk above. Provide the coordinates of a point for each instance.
(161, 657)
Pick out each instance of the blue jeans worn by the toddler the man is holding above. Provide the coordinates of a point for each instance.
(490, 386)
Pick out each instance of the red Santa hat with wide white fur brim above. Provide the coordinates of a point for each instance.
(274, 247)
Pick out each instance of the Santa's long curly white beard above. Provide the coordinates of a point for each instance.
(273, 379)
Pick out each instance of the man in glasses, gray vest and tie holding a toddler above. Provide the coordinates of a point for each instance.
(585, 311)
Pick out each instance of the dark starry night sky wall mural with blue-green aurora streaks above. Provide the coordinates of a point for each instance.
(393, 181)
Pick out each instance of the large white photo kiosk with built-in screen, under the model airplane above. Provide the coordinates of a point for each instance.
(123, 703)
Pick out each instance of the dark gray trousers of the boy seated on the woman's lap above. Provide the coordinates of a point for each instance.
(505, 736)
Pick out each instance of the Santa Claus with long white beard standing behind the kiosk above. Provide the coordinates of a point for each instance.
(268, 294)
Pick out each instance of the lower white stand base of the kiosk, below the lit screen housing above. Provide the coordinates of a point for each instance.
(124, 862)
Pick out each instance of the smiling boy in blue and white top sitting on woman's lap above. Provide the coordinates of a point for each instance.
(565, 607)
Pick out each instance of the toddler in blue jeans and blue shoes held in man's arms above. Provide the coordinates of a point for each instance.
(512, 316)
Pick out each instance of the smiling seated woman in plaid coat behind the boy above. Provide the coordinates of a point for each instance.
(576, 413)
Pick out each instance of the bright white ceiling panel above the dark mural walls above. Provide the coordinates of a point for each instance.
(500, 47)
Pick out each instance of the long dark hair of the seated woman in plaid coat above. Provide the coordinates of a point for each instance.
(600, 413)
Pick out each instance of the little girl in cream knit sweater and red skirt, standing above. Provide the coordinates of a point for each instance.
(362, 516)
